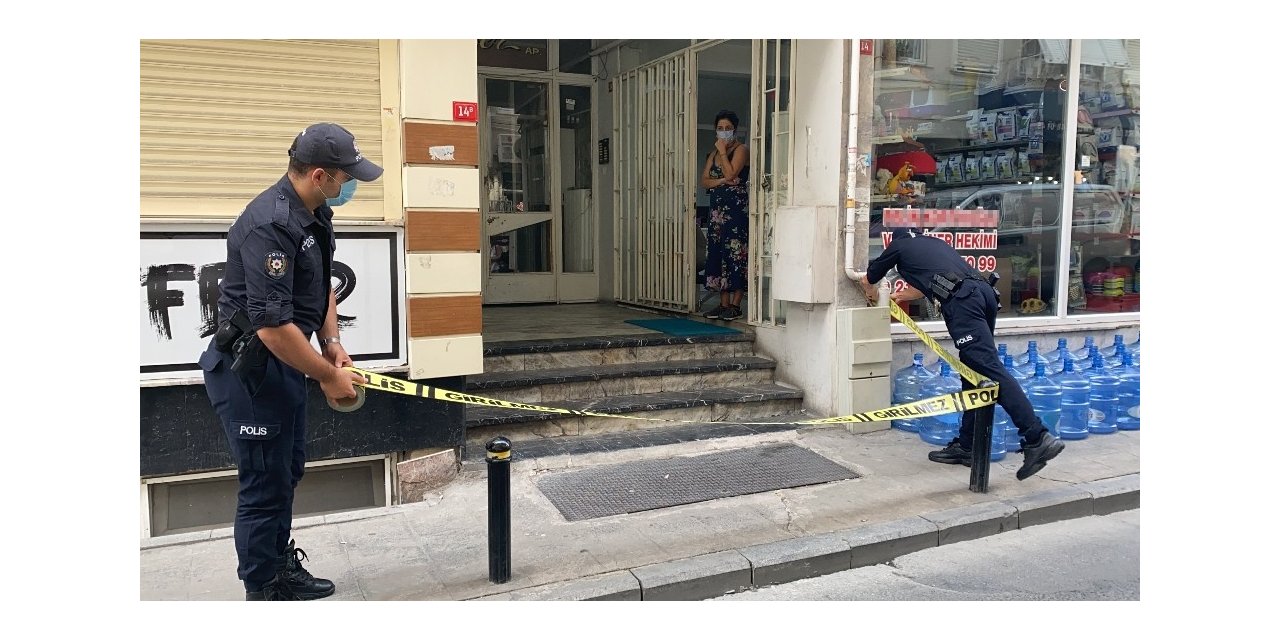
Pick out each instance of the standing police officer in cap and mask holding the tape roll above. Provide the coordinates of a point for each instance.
(277, 294)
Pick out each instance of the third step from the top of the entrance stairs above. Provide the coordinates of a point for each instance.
(714, 405)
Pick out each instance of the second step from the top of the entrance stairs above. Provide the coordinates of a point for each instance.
(554, 386)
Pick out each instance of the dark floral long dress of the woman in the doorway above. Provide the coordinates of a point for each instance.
(726, 234)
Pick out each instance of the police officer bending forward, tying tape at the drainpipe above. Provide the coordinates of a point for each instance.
(970, 305)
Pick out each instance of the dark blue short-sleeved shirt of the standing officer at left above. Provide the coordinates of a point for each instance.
(278, 262)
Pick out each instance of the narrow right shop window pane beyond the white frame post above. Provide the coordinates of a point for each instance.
(1105, 267)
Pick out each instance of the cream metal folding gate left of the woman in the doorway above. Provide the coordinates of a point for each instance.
(655, 185)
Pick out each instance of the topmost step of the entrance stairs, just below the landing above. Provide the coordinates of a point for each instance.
(578, 353)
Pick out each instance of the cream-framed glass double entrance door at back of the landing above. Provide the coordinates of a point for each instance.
(537, 196)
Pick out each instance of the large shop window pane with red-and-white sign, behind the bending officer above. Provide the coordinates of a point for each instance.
(980, 131)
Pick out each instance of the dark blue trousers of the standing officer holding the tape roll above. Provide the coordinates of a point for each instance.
(264, 418)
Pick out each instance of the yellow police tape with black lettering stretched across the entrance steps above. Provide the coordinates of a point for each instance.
(935, 406)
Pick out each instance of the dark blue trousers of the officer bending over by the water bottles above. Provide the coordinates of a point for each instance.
(971, 318)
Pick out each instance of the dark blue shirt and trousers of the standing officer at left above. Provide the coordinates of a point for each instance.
(278, 268)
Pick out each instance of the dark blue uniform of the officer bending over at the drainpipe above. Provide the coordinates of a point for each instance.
(970, 314)
